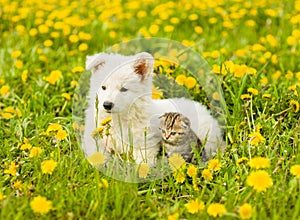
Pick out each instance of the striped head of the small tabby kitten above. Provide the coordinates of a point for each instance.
(173, 126)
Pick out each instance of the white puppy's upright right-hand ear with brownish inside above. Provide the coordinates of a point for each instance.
(143, 65)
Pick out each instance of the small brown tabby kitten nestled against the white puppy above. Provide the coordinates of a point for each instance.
(178, 136)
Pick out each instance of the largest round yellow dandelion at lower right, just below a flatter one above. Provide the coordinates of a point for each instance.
(259, 180)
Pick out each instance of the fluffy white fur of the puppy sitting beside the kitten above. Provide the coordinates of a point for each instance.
(126, 81)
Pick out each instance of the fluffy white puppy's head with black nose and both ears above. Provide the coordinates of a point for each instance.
(129, 80)
